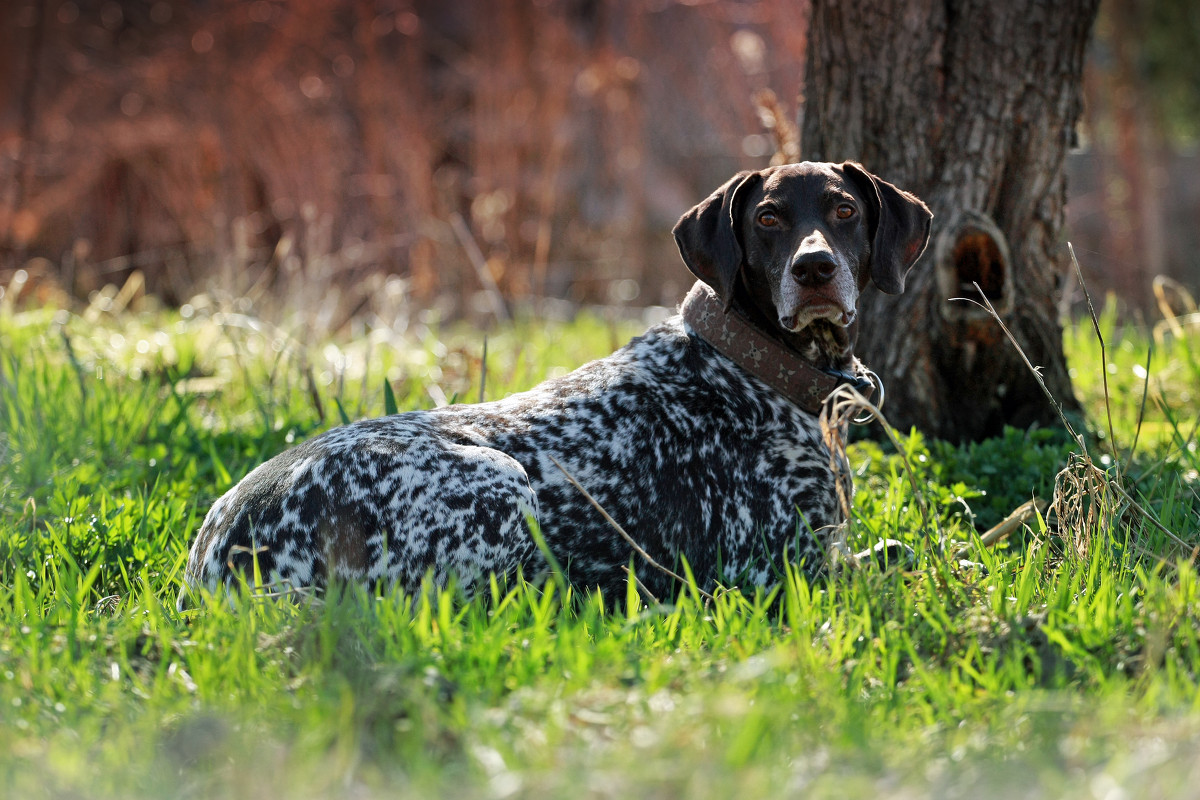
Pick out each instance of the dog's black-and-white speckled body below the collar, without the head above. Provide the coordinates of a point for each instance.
(688, 453)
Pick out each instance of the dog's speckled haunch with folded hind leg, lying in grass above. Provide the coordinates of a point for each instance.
(373, 510)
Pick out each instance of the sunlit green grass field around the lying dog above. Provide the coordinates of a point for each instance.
(1067, 669)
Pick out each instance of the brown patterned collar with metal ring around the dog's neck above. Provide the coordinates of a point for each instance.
(765, 358)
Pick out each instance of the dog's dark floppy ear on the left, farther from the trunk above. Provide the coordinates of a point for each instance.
(709, 236)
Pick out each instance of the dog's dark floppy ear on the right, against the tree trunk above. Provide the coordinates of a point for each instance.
(901, 227)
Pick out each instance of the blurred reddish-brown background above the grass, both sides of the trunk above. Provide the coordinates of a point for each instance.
(345, 157)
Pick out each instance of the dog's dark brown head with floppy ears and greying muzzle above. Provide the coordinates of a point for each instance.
(796, 245)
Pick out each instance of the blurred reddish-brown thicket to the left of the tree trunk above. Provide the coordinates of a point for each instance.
(239, 142)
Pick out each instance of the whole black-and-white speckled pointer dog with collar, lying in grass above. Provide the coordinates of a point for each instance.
(700, 438)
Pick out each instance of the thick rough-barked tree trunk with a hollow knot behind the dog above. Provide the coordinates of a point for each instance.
(970, 105)
